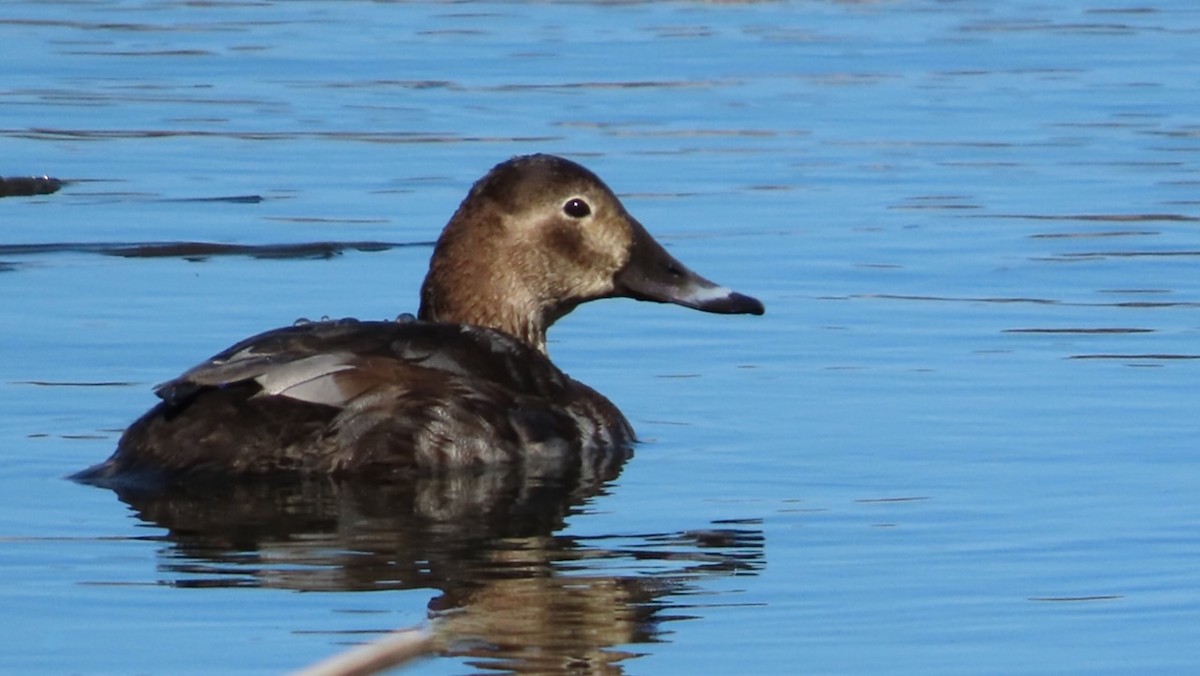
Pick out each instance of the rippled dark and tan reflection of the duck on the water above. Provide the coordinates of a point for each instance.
(513, 594)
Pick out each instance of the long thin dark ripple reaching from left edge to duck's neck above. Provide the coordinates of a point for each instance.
(203, 250)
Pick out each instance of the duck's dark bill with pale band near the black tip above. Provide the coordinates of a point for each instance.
(653, 274)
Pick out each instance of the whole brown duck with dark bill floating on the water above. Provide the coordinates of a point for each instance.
(466, 385)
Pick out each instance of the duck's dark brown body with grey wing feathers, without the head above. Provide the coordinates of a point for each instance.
(370, 399)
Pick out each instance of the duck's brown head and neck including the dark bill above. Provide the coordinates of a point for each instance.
(541, 235)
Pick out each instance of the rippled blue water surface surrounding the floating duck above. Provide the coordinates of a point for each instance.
(961, 441)
